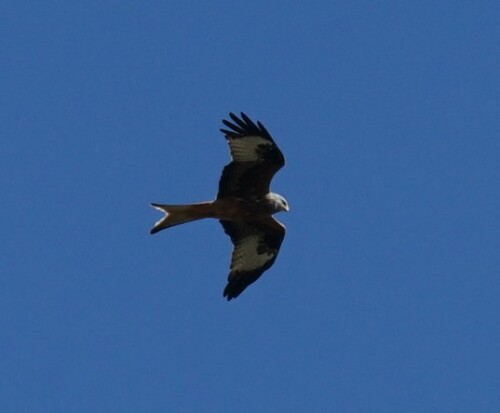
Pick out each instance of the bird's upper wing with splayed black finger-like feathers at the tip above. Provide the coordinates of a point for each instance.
(255, 159)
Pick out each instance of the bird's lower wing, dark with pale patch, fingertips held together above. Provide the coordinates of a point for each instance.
(256, 246)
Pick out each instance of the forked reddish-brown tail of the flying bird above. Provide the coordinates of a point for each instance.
(180, 214)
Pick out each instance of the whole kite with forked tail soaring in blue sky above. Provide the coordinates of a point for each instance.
(244, 203)
